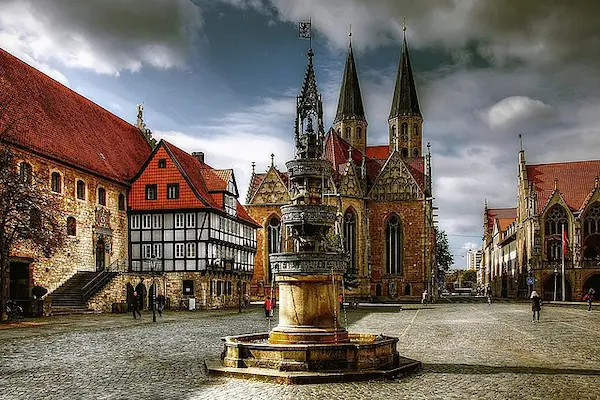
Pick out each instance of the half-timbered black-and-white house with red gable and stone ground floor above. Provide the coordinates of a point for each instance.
(186, 225)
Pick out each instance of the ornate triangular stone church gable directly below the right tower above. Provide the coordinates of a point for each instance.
(395, 182)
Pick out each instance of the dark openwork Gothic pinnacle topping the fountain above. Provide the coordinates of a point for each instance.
(309, 131)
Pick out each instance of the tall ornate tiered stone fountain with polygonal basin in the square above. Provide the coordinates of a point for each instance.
(309, 344)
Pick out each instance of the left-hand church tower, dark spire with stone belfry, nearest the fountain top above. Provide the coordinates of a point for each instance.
(350, 121)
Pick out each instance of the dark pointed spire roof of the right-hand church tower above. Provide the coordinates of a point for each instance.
(405, 101)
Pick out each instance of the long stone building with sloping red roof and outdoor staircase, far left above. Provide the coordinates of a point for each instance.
(86, 155)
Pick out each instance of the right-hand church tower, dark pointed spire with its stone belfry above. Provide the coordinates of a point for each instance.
(406, 121)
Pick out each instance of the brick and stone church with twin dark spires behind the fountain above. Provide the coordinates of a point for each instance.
(383, 193)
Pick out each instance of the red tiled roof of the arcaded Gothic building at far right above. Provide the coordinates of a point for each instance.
(575, 180)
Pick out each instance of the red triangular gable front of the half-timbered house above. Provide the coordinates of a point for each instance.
(151, 174)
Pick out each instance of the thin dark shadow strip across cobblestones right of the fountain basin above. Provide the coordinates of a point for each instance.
(468, 369)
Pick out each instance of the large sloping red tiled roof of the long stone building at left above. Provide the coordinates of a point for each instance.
(59, 123)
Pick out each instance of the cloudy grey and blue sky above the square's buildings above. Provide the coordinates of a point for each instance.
(221, 76)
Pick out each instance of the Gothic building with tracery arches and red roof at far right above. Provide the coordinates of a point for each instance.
(551, 199)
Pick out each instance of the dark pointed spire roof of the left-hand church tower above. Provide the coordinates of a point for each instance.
(350, 103)
